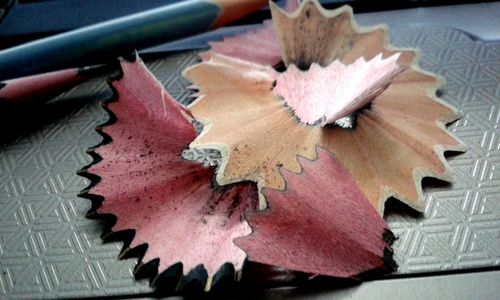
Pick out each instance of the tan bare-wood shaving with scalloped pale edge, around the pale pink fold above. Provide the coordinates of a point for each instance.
(399, 140)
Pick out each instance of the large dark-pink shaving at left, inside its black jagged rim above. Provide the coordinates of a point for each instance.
(169, 202)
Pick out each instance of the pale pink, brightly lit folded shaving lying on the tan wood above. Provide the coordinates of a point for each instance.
(324, 95)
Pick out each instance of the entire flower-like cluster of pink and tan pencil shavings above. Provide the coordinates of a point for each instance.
(325, 185)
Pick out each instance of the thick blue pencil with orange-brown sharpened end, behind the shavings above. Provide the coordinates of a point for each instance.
(100, 42)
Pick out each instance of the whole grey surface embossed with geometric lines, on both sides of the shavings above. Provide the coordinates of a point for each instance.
(49, 250)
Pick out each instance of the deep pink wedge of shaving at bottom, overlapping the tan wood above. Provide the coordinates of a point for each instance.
(321, 223)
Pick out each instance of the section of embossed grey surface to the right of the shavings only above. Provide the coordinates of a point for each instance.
(461, 224)
